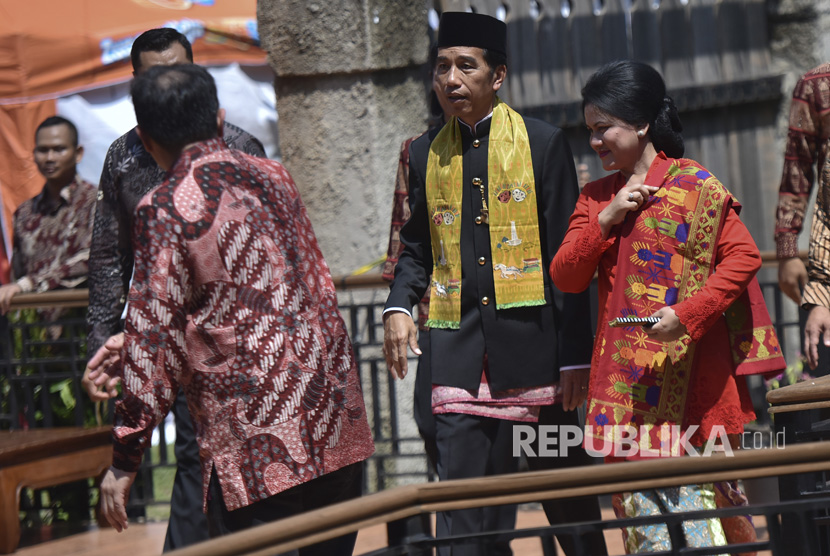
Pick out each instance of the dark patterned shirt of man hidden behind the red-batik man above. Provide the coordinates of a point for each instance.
(129, 173)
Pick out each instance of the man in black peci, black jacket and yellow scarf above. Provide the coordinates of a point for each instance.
(490, 197)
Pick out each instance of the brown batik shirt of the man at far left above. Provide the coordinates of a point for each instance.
(51, 239)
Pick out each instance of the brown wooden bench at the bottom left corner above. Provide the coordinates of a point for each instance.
(39, 458)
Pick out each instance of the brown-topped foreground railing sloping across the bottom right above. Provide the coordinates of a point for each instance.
(403, 502)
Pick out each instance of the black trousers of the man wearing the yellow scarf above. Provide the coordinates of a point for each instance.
(472, 446)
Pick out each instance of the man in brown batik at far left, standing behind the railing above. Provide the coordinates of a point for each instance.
(52, 230)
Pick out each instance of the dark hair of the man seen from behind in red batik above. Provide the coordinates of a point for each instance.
(176, 105)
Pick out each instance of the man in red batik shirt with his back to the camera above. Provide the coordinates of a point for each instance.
(231, 300)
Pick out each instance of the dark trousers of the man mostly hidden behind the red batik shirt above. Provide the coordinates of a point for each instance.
(188, 523)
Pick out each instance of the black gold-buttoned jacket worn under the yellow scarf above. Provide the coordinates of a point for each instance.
(525, 346)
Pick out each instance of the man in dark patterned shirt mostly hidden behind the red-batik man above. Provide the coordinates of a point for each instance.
(130, 172)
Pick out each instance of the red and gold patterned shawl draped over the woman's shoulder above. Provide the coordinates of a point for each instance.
(665, 256)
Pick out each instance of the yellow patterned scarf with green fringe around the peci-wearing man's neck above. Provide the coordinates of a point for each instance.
(513, 218)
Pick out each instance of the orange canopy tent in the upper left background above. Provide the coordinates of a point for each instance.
(52, 48)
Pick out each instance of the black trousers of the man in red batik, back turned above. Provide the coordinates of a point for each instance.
(337, 486)
